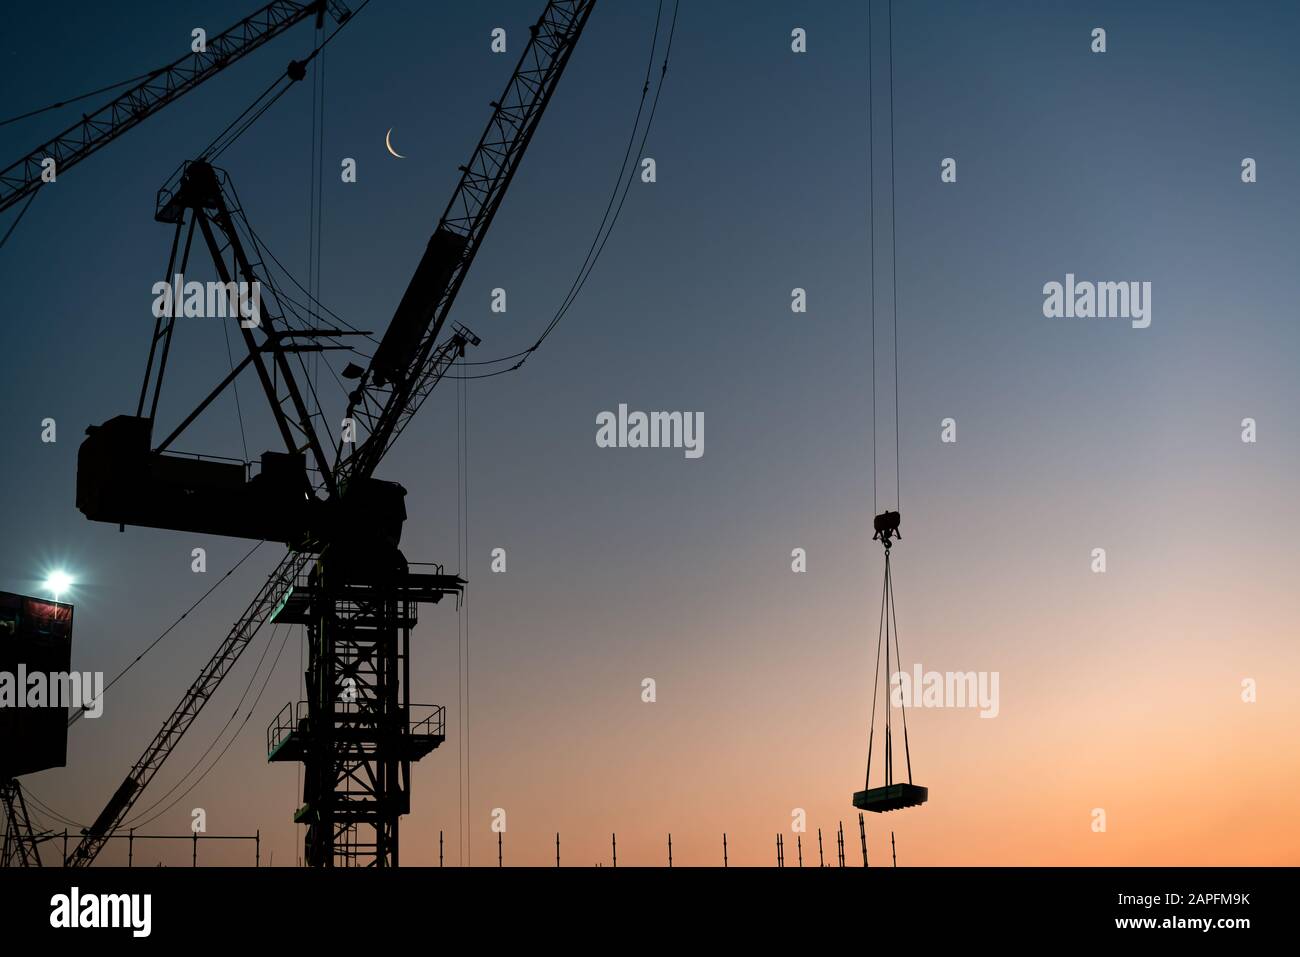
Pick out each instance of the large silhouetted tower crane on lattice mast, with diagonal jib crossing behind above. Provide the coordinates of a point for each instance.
(344, 575)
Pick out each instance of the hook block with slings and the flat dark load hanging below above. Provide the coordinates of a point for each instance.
(889, 796)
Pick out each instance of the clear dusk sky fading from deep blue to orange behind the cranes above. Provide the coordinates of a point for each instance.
(1119, 691)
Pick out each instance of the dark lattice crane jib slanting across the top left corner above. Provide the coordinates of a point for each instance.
(161, 88)
